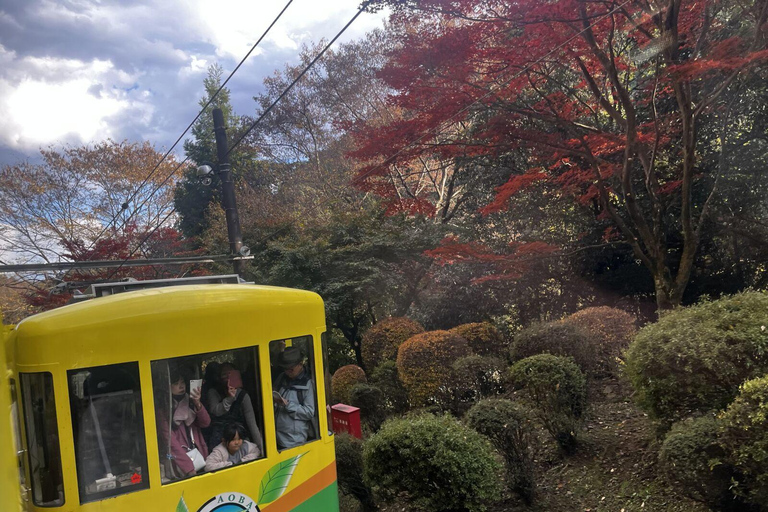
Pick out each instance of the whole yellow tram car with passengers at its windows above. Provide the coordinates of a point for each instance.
(101, 390)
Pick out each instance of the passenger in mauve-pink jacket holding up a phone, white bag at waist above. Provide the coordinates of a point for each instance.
(187, 446)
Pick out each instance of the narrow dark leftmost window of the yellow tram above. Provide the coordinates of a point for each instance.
(42, 439)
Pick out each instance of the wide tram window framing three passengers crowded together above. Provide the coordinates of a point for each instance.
(199, 399)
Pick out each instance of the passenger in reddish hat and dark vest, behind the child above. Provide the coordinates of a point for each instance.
(229, 403)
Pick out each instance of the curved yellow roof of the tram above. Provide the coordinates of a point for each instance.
(160, 304)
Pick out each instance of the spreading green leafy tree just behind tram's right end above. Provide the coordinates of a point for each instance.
(365, 266)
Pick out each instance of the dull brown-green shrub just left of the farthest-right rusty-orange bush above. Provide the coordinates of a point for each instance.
(558, 339)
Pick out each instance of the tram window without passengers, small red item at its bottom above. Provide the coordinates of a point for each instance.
(108, 424)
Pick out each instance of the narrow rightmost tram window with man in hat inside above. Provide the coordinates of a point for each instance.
(294, 394)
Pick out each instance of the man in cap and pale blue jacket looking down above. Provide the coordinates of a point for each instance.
(294, 399)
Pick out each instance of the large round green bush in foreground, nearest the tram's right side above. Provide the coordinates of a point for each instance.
(440, 463)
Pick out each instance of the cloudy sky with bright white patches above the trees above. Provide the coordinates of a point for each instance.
(75, 71)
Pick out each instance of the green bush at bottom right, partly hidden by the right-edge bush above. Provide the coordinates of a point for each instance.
(693, 459)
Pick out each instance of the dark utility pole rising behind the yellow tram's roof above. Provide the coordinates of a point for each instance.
(228, 194)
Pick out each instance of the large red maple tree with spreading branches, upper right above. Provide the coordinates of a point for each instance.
(612, 102)
